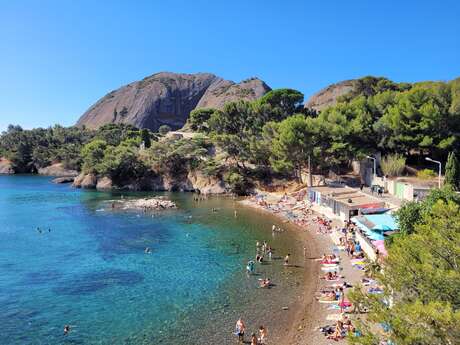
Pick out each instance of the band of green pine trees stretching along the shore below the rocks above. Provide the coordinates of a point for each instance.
(274, 135)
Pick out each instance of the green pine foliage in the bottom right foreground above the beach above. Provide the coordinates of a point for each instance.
(421, 280)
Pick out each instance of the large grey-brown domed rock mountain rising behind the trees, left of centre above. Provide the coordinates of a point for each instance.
(167, 99)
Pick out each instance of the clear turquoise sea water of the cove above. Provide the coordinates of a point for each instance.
(91, 271)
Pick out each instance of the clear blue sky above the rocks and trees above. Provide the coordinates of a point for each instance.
(59, 57)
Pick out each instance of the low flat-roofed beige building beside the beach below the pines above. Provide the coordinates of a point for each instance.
(343, 202)
